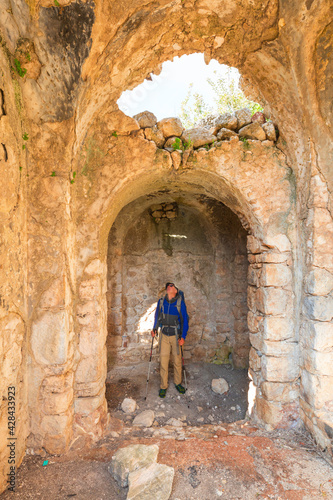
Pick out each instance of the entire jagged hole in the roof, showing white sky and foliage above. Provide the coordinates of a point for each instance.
(189, 89)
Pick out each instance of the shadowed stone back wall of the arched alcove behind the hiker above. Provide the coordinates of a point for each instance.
(205, 254)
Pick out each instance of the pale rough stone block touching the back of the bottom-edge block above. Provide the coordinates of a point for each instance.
(131, 458)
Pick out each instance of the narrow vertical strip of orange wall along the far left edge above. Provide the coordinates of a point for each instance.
(14, 426)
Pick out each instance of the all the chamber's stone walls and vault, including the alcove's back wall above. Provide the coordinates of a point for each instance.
(248, 230)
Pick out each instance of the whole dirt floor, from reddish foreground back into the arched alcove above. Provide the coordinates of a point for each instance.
(229, 460)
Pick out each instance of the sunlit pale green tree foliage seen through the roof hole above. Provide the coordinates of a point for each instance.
(228, 97)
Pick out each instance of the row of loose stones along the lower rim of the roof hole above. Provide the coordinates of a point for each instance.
(170, 134)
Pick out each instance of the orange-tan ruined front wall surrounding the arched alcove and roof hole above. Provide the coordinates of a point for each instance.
(86, 161)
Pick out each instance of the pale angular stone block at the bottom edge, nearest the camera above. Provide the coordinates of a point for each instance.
(151, 483)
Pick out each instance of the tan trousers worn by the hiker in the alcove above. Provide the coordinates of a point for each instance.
(169, 345)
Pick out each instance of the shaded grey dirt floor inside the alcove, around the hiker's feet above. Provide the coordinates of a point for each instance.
(199, 406)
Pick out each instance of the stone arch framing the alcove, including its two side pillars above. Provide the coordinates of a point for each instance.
(218, 174)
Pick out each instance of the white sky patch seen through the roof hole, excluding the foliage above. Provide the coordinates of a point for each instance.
(165, 93)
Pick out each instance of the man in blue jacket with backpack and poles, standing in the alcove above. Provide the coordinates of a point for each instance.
(171, 316)
